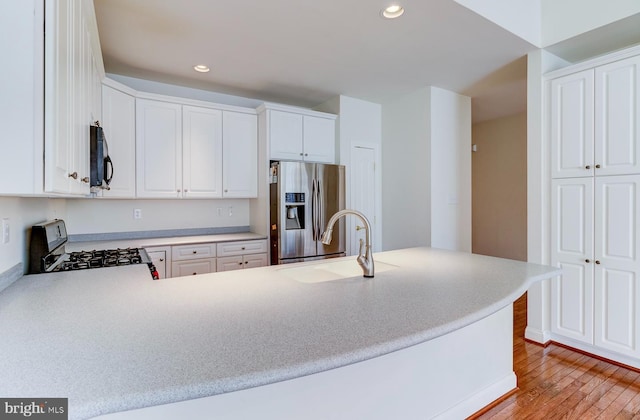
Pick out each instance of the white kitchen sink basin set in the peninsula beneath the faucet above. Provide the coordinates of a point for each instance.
(330, 271)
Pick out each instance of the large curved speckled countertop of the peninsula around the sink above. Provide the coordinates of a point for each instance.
(112, 339)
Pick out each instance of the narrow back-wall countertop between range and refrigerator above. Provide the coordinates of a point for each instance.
(151, 242)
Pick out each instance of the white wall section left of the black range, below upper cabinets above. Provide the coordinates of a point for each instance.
(22, 214)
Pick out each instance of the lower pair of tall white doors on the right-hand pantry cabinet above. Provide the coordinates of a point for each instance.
(595, 240)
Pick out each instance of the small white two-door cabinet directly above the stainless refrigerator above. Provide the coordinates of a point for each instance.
(295, 134)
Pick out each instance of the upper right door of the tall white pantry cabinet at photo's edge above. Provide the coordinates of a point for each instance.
(617, 117)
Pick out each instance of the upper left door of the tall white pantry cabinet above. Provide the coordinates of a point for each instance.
(572, 146)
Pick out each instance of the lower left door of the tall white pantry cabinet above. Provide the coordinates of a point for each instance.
(572, 250)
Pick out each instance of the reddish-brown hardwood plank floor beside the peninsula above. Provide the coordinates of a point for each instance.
(558, 383)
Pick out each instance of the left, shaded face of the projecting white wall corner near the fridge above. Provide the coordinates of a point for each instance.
(406, 176)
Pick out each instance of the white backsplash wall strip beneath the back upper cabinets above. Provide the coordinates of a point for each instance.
(106, 216)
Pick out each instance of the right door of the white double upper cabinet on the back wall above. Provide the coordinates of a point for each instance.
(202, 152)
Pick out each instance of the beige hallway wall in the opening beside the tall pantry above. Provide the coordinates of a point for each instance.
(499, 187)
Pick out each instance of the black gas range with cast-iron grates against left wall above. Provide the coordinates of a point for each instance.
(47, 253)
